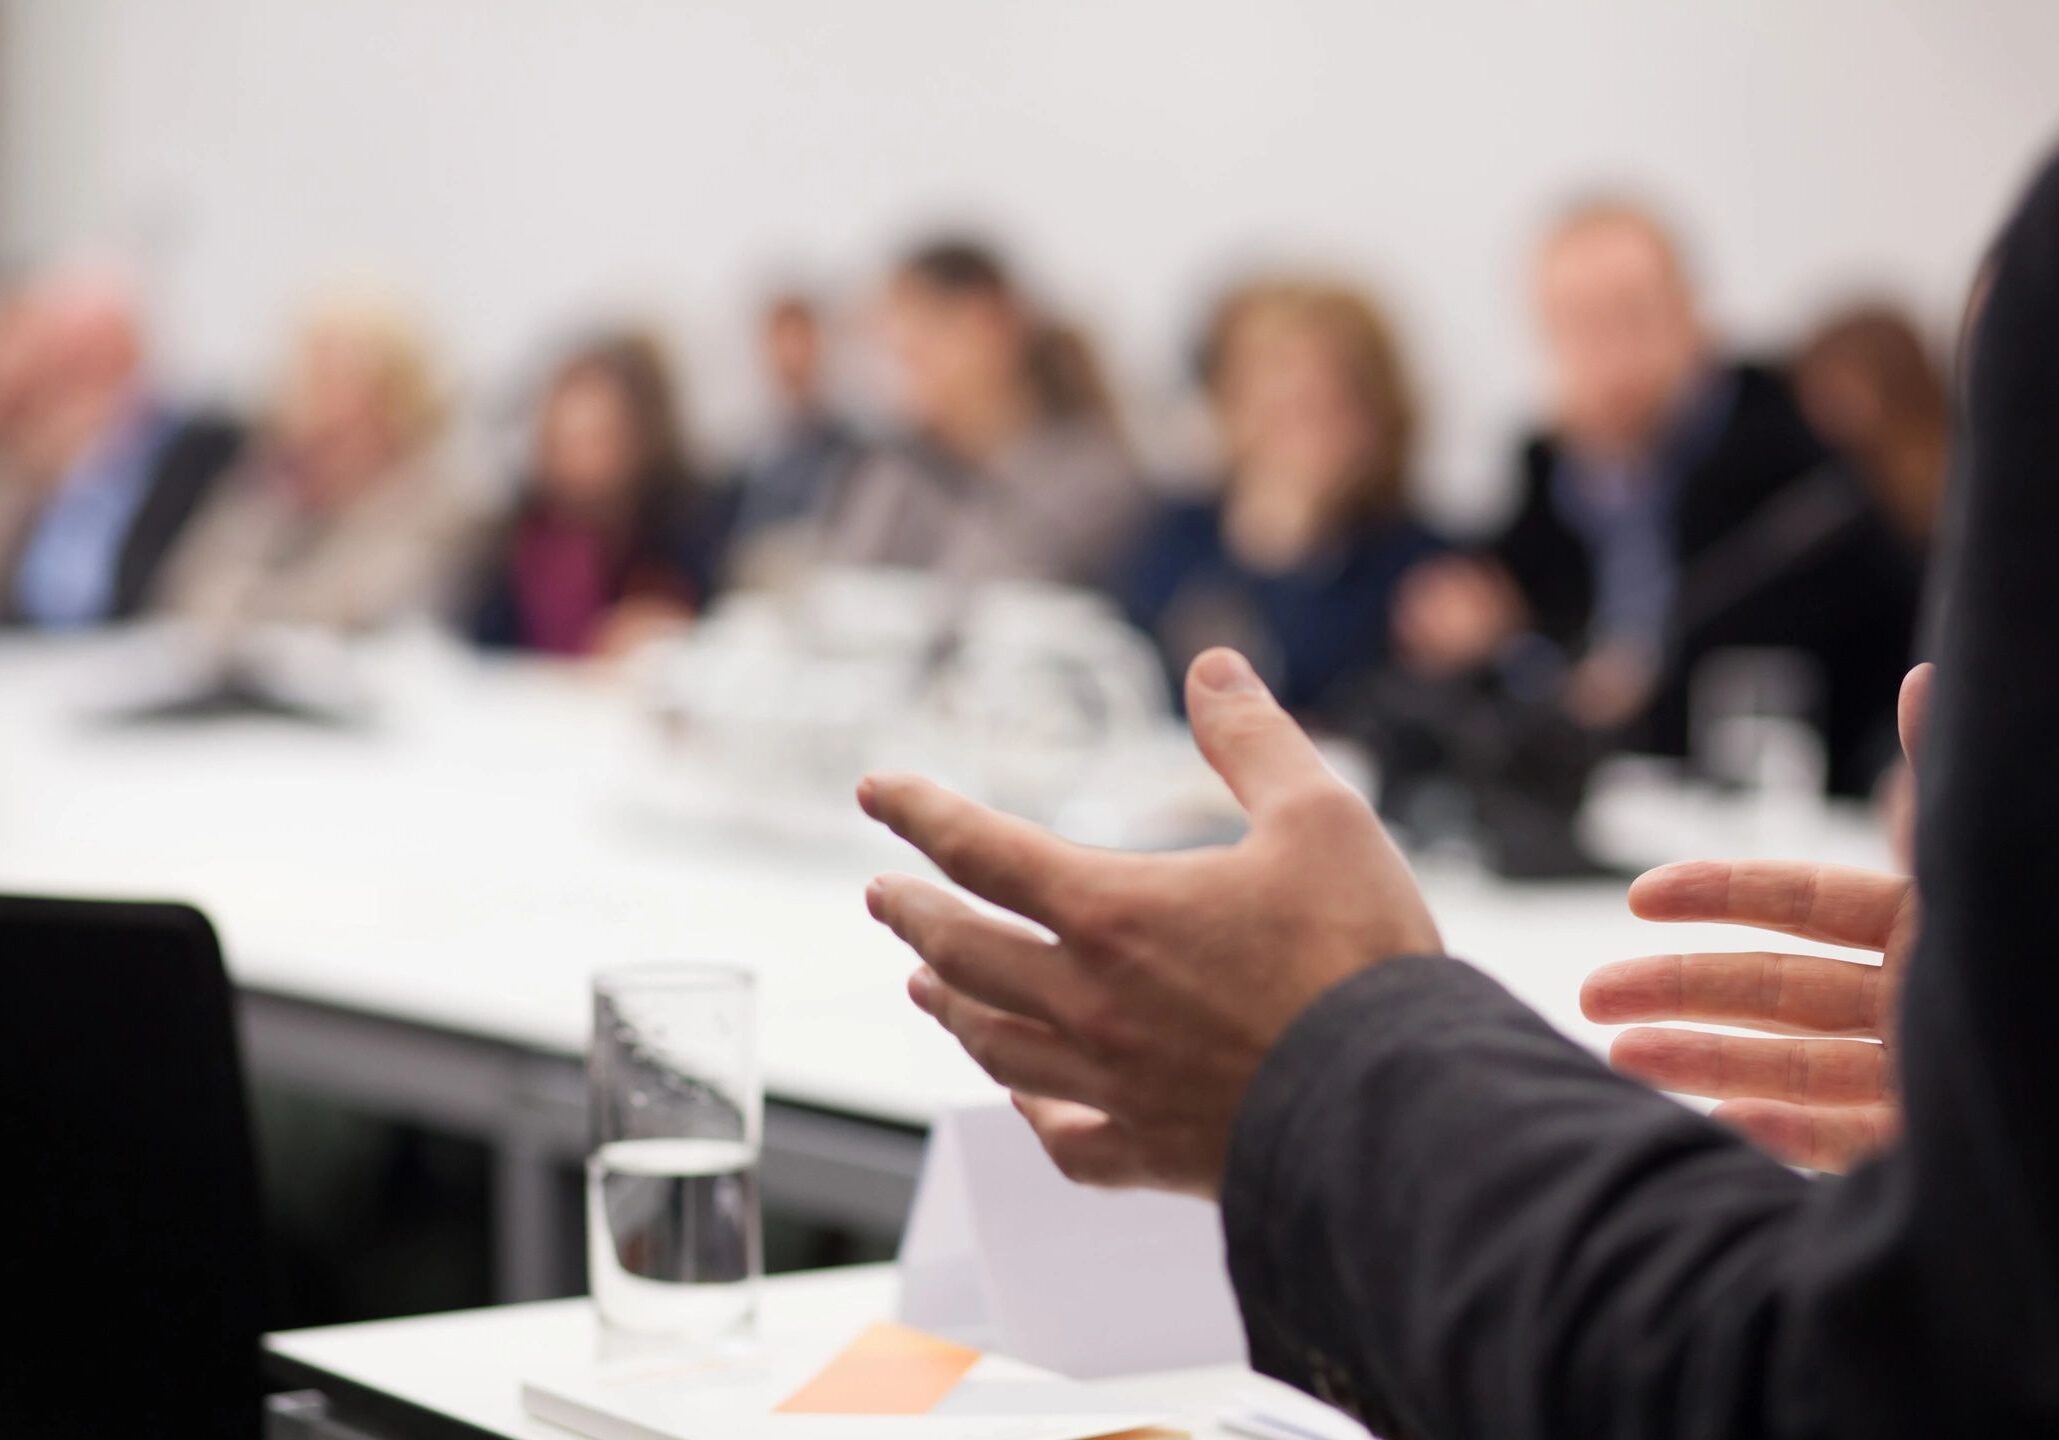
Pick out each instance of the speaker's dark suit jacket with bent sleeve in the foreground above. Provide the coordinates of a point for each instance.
(1463, 1227)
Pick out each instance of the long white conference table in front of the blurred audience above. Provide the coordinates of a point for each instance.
(413, 914)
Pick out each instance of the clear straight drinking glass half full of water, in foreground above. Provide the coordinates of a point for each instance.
(672, 1184)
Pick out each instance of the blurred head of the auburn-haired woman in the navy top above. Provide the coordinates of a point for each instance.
(1311, 392)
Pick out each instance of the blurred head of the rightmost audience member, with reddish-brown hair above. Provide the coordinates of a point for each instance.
(1873, 388)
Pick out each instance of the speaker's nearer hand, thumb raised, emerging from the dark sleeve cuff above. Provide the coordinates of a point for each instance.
(1133, 1017)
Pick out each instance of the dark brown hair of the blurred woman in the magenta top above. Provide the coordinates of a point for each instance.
(637, 368)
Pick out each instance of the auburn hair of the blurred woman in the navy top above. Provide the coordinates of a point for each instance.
(1366, 343)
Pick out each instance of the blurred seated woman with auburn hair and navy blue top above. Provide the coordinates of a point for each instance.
(1298, 555)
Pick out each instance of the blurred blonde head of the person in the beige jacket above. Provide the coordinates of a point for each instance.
(357, 399)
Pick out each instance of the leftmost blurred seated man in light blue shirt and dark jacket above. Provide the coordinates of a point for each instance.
(104, 475)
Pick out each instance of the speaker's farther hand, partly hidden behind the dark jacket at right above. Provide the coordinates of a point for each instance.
(1825, 1095)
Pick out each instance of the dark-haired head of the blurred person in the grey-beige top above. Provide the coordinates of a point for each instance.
(958, 335)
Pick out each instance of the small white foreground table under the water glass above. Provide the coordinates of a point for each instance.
(460, 1375)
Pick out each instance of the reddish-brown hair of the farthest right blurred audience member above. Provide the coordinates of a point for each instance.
(1906, 456)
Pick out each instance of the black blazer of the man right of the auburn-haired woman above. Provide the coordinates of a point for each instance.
(1776, 545)
